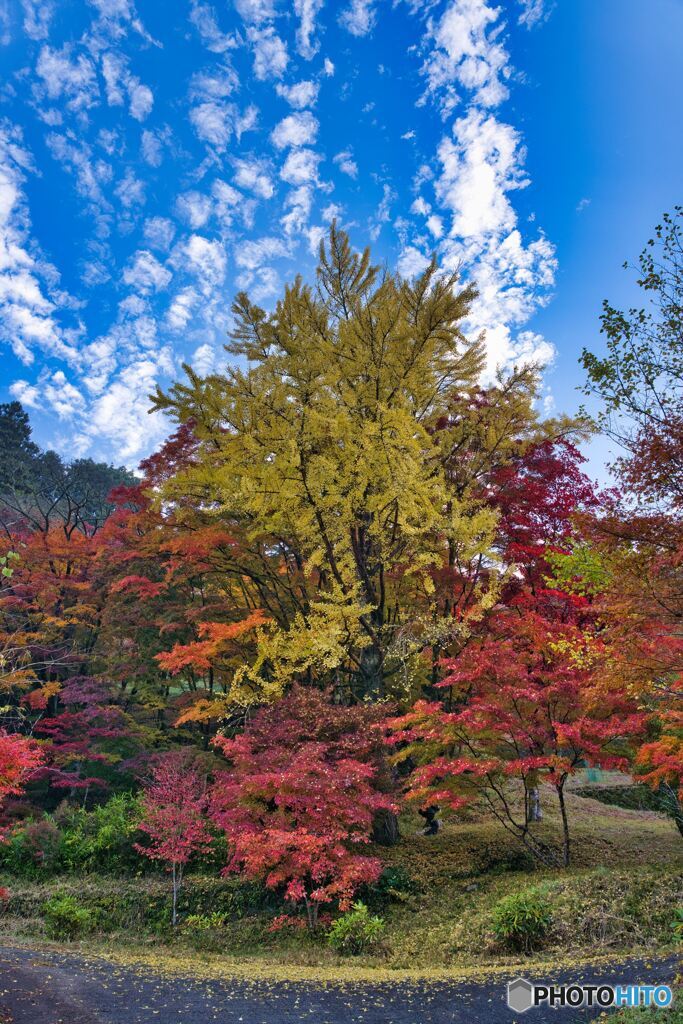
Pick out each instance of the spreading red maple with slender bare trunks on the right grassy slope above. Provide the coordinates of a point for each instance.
(524, 703)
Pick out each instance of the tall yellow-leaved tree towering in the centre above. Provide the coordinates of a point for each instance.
(354, 457)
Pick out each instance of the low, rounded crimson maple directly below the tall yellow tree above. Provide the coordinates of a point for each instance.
(298, 801)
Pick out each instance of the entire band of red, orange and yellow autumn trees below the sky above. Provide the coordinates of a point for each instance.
(355, 573)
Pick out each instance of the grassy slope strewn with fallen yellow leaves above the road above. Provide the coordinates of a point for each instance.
(618, 898)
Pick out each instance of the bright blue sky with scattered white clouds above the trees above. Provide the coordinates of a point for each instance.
(156, 158)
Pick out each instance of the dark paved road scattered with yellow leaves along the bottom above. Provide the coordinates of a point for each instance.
(48, 988)
